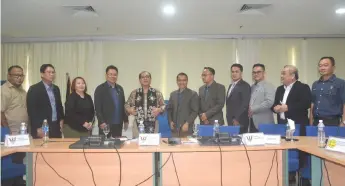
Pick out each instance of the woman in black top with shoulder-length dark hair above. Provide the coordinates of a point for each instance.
(79, 110)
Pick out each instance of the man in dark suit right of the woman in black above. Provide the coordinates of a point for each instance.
(109, 104)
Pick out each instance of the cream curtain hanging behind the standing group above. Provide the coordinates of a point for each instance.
(165, 59)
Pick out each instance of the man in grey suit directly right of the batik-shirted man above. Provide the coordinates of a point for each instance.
(182, 108)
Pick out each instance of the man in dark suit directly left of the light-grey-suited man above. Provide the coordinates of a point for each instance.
(237, 100)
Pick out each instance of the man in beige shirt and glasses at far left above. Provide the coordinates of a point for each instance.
(13, 104)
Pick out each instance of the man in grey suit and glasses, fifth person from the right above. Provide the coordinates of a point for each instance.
(211, 98)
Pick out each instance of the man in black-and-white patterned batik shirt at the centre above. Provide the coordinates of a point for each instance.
(145, 103)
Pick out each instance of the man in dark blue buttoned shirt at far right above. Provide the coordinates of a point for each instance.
(328, 96)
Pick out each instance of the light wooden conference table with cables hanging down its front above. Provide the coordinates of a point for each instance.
(56, 164)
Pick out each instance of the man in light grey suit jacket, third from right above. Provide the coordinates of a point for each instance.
(262, 99)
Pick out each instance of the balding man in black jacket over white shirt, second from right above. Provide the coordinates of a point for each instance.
(292, 99)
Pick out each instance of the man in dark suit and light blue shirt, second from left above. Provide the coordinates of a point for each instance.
(44, 102)
